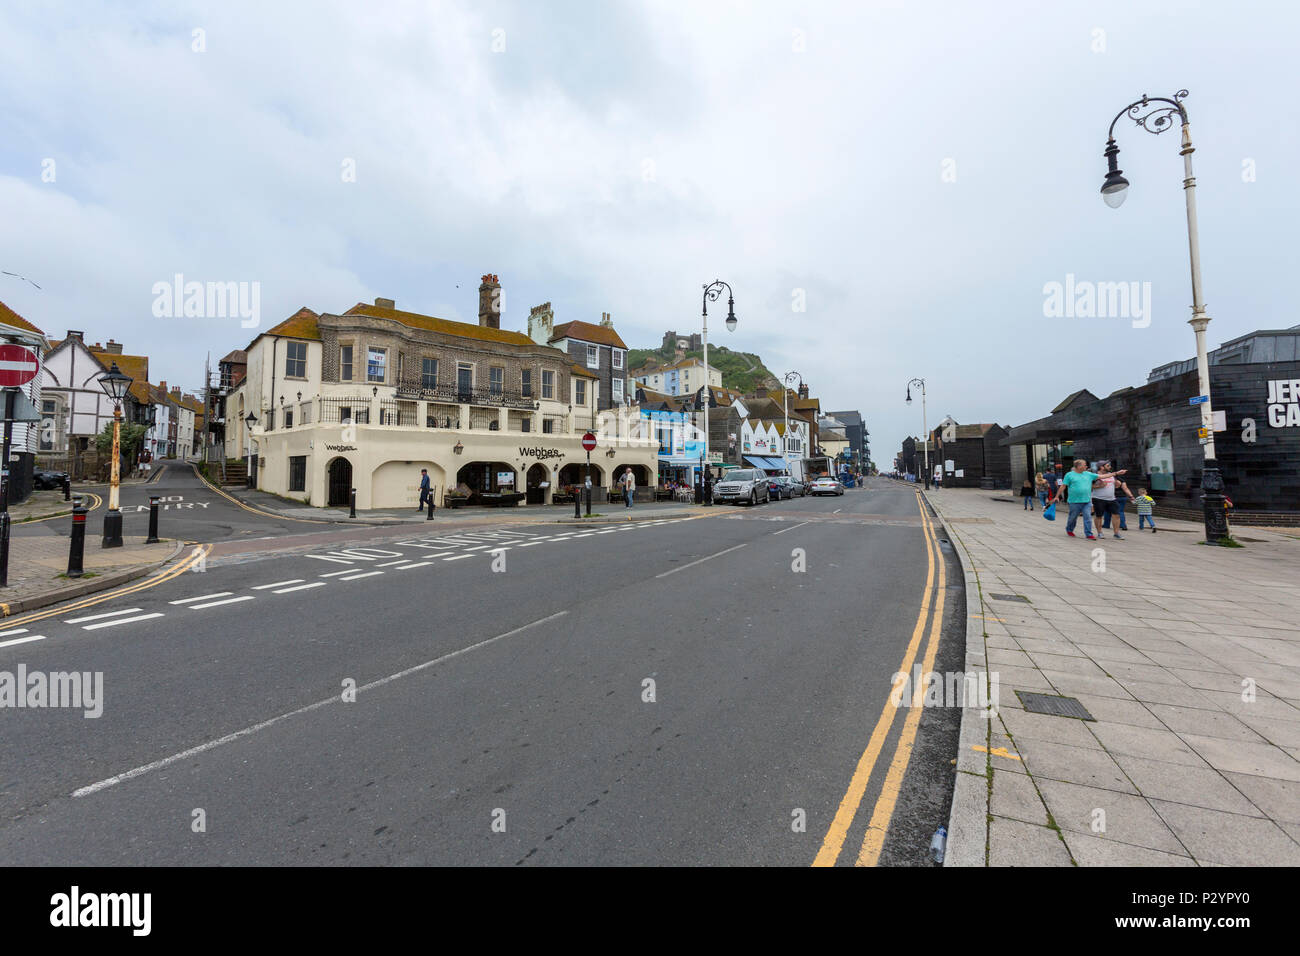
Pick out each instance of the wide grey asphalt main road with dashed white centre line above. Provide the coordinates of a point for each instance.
(649, 693)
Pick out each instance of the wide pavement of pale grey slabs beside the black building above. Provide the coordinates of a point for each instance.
(1186, 656)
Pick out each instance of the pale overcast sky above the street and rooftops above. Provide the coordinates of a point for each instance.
(916, 172)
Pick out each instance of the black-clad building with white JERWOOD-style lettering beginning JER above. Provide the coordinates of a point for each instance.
(1152, 430)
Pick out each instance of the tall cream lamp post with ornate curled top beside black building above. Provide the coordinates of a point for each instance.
(1156, 115)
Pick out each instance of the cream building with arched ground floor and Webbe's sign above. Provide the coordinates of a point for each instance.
(366, 399)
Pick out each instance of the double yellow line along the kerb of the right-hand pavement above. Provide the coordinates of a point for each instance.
(879, 824)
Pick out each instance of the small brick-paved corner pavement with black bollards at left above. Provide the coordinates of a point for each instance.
(38, 565)
